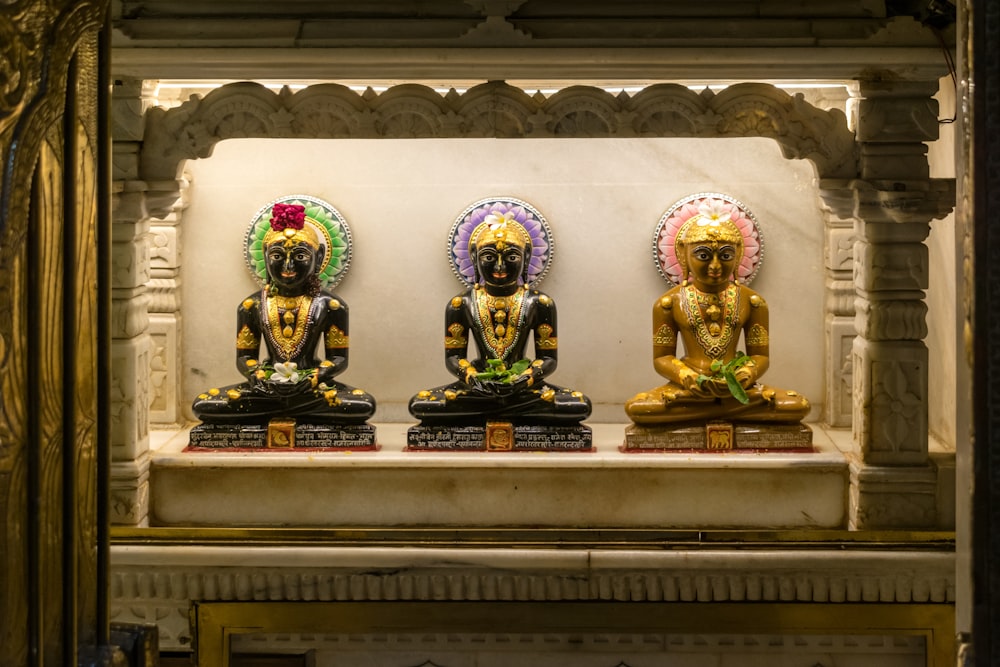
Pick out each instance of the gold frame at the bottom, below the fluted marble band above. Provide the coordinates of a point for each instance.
(216, 623)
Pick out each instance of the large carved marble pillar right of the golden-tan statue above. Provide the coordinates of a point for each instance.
(893, 483)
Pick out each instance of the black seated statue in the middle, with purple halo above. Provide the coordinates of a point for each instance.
(499, 313)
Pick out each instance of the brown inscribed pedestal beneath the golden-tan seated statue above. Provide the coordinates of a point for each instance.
(718, 436)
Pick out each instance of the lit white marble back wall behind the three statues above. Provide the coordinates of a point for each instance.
(602, 198)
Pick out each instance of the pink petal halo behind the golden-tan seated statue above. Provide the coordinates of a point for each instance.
(717, 207)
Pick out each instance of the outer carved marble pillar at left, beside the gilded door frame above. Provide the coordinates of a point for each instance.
(131, 344)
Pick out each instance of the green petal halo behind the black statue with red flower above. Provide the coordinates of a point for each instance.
(329, 225)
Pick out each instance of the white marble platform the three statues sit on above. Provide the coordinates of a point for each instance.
(605, 488)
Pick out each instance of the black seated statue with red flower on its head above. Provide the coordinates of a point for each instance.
(293, 317)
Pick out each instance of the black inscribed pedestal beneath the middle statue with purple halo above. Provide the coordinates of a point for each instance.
(500, 437)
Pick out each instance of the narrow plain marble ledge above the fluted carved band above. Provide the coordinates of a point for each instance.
(872, 562)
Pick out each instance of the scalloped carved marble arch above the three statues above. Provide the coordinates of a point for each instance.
(494, 109)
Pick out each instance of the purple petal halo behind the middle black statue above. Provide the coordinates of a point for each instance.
(503, 207)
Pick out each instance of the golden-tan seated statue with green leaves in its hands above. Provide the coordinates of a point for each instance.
(708, 311)
